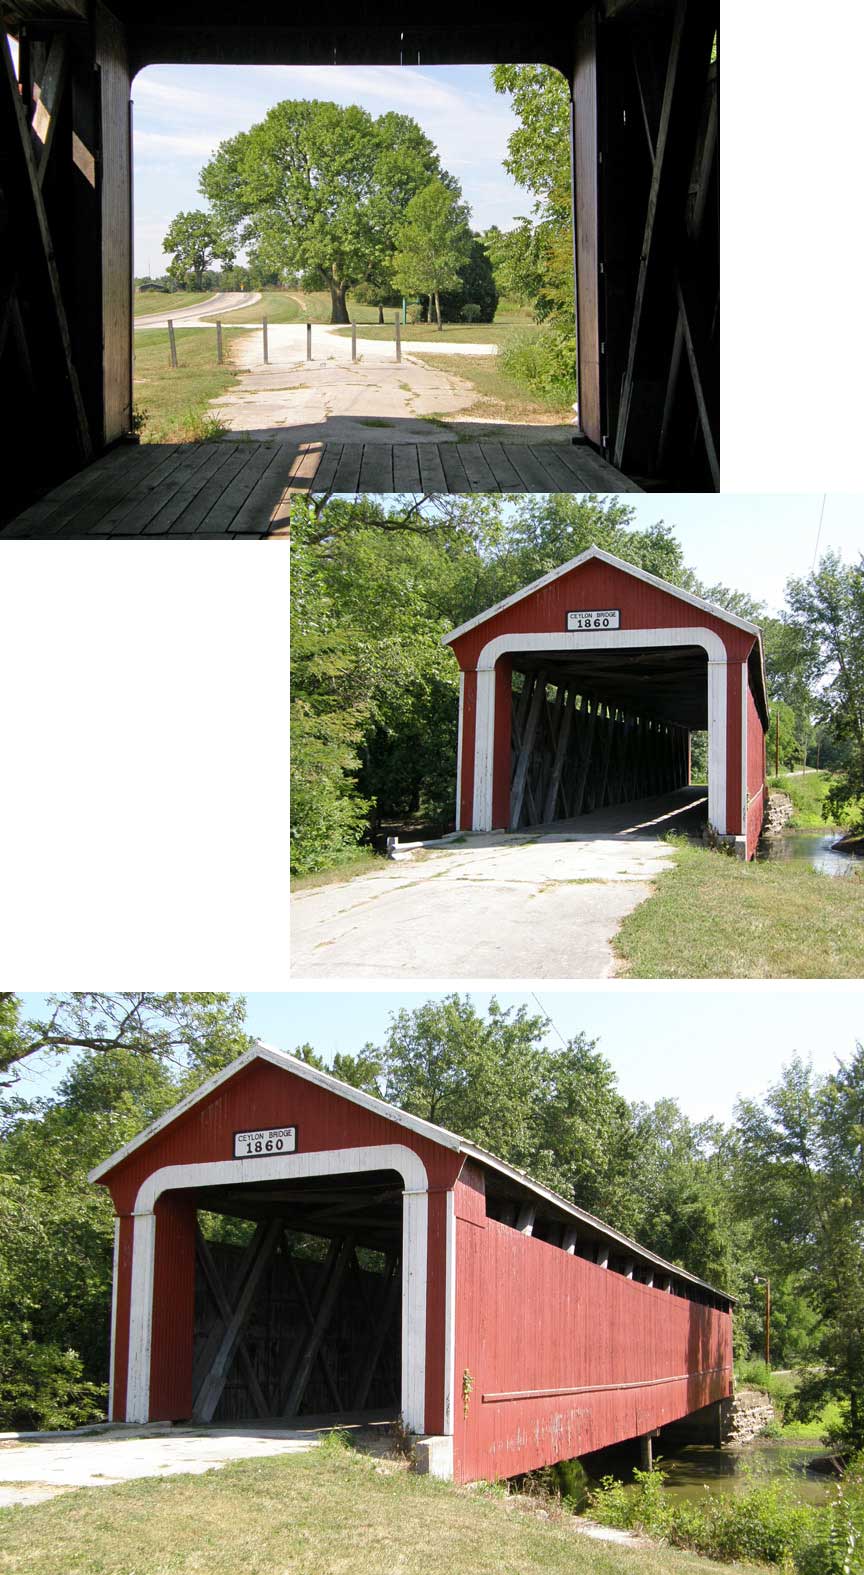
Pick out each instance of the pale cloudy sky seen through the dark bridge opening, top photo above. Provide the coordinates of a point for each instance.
(183, 113)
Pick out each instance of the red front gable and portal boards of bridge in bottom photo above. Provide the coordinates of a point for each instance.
(260, 1095)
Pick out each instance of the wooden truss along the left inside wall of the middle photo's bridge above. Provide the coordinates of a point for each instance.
(574, 754)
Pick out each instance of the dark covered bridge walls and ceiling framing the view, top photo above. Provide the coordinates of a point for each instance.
(643, 80)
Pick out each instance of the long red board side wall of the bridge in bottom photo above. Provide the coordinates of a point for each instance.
(530, 1317)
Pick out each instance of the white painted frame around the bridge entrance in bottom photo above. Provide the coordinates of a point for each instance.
(290, 1168)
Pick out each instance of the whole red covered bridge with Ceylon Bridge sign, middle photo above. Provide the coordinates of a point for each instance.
(583, 692)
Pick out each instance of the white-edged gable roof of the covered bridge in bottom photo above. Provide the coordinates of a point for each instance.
(415, 1124)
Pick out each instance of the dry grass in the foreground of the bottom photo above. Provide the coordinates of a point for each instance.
(319, 1514)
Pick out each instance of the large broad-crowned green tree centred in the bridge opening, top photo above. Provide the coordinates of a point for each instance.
(322, 188)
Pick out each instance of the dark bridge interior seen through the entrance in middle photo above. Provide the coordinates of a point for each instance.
(599, 728)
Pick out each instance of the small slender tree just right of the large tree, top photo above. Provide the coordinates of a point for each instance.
(434, 243)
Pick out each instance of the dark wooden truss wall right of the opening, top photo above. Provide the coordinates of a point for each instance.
(648, 240)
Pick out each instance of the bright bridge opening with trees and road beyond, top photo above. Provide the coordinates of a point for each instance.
(424, 347)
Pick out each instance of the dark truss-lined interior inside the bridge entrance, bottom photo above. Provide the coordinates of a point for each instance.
(298, 1302)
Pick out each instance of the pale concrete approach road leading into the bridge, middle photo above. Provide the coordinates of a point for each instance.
(534, 905)
